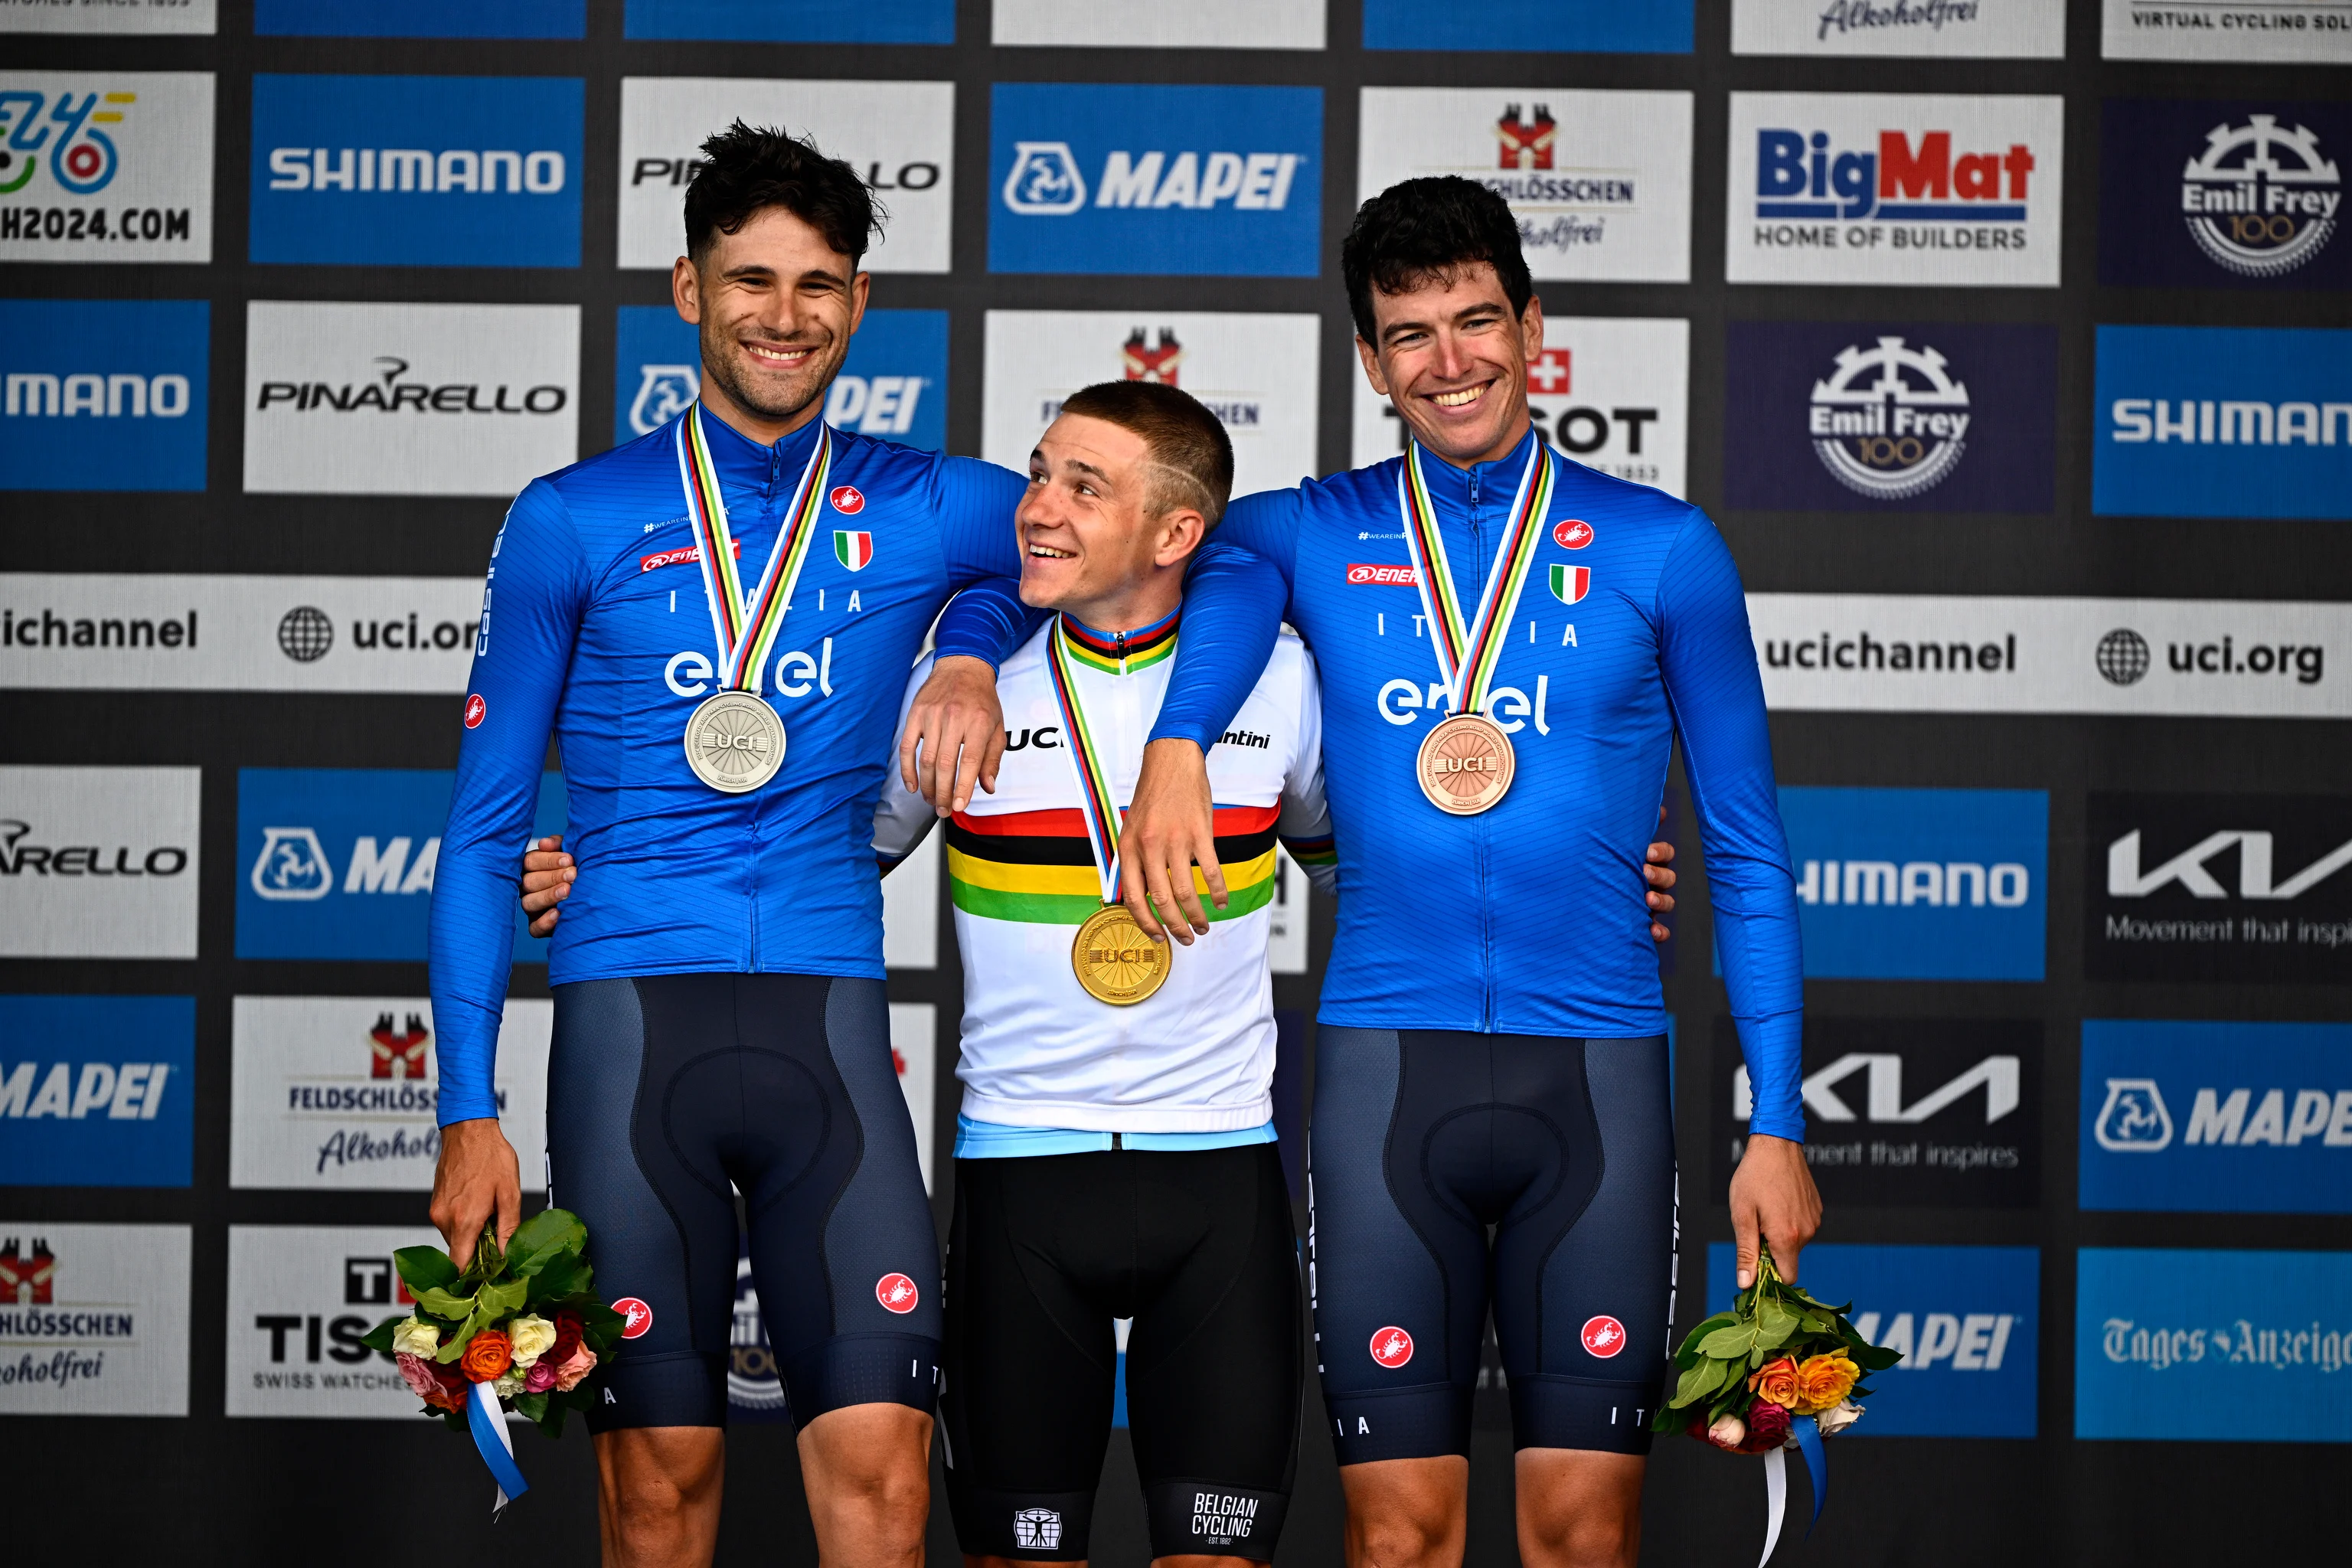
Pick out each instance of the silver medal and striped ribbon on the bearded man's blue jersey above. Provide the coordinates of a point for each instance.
(735, 739)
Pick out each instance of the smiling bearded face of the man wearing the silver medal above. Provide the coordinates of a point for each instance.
(775, 307)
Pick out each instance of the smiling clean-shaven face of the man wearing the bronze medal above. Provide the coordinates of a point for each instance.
(1452, 359)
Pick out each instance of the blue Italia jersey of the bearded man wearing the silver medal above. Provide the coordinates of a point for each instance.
(596, 631)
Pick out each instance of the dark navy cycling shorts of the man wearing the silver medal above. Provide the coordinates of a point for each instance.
(667, 1097)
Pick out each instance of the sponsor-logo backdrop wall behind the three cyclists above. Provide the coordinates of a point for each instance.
(2005, 340)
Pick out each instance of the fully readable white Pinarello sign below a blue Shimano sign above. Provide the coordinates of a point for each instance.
(408, 401)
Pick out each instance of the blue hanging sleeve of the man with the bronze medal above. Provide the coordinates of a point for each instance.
(1718, 697)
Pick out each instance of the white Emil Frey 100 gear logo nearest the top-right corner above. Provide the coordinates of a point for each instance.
(2261, 201)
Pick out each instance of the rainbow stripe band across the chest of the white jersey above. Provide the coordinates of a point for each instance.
(1038, 866)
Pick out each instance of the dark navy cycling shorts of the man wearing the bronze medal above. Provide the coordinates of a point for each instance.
(1516, 1172)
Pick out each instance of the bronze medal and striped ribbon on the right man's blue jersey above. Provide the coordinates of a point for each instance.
(1466, 760)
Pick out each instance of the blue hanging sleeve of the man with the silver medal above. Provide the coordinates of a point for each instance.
(530, 617)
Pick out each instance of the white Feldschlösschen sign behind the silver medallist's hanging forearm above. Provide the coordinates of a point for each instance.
(342, 1092)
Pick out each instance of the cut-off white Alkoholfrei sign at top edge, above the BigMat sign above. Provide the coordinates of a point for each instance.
(1944, 29)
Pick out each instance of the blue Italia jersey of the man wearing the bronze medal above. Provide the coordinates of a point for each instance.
(1530, 920)
